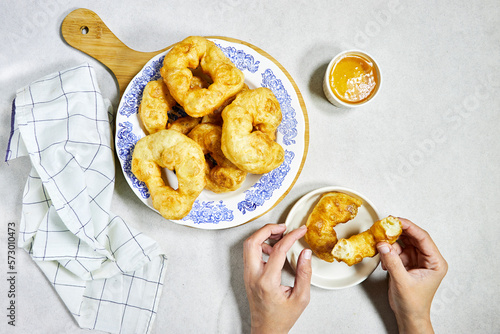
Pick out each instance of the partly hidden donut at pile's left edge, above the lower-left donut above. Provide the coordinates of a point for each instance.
(154, 107)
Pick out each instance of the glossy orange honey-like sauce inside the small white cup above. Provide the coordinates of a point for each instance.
(353, 78)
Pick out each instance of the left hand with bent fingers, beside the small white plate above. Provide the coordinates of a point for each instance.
(275, 308)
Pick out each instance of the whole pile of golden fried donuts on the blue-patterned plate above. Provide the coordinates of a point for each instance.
(230, 129)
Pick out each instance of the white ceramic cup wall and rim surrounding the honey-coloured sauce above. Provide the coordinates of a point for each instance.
(332, 98)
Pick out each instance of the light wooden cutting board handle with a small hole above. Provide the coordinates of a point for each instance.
(84, 30)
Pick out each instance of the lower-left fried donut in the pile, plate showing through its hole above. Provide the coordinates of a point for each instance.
(175, 151)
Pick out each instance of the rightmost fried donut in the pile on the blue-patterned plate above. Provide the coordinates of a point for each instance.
(248, 131)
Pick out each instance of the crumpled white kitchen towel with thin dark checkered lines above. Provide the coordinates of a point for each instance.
(109, 276)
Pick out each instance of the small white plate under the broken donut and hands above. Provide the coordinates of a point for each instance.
(336, 275)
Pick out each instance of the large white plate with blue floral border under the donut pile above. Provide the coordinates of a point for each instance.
(259, 193)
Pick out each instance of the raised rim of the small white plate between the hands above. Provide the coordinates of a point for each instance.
(318, 191)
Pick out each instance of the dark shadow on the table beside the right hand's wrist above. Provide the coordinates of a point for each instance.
(376, 289)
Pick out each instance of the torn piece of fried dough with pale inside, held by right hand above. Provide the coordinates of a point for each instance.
(359, 246)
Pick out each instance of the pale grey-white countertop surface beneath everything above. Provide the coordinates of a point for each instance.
(427, 148)
